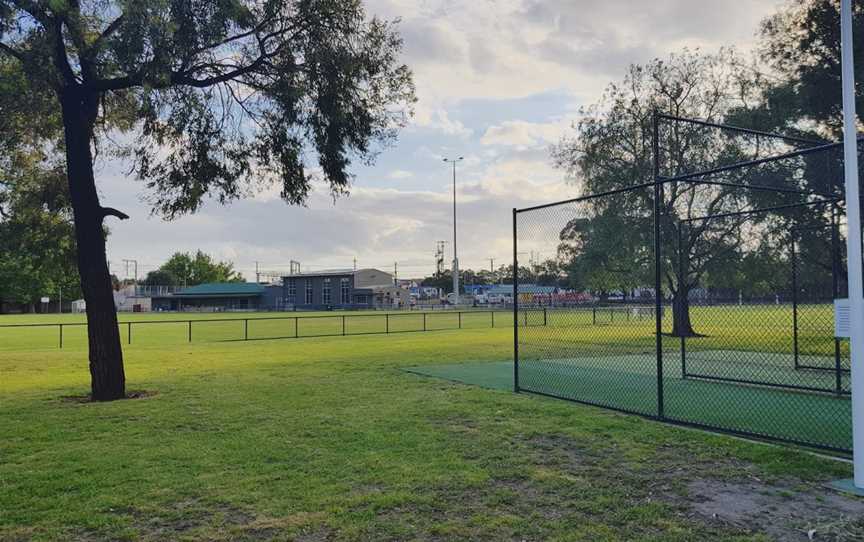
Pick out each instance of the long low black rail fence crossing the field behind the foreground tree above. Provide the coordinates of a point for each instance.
(156, 332)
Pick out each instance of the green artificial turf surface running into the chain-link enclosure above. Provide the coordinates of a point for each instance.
(630, 383)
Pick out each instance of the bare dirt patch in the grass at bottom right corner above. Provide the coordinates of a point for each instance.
(780, 511)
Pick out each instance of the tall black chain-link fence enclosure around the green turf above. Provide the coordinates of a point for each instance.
(766, 225)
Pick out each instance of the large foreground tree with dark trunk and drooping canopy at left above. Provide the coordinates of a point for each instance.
(221, 96)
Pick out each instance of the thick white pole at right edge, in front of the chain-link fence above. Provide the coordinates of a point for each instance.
(853, 242)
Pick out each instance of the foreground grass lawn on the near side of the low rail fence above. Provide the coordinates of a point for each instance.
(329, 439)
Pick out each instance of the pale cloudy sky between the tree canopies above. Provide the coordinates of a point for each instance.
(498, 82)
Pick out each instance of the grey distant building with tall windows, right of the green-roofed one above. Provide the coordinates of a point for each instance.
(344, 289)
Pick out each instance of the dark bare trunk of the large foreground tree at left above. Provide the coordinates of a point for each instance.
(107, 378)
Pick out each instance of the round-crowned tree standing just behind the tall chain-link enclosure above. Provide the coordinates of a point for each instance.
(611, 240)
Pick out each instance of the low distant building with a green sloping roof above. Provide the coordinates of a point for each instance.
(214, 296)
